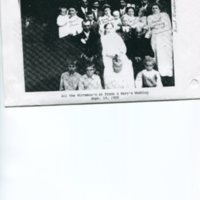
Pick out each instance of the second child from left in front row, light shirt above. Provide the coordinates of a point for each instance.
(90, 81)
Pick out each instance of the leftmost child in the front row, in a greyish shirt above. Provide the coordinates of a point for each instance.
(70, 79)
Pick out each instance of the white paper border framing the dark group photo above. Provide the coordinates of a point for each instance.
(186, 52)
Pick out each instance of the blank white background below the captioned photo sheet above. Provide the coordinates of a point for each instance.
(113, 152)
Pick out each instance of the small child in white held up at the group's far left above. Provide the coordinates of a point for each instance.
(62, 22)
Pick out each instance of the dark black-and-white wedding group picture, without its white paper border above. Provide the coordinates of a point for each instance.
(73, 45)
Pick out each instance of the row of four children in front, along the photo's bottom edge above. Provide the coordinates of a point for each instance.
(147, 78)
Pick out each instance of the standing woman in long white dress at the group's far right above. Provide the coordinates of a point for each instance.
(160, 31)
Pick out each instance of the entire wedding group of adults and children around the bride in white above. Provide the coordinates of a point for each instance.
(122, 48)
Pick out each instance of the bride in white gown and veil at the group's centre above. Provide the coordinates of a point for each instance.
(112, 45)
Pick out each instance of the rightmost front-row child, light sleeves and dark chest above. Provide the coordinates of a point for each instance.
(148, 77)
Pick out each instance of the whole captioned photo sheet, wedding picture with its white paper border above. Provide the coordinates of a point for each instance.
(59, 52)
